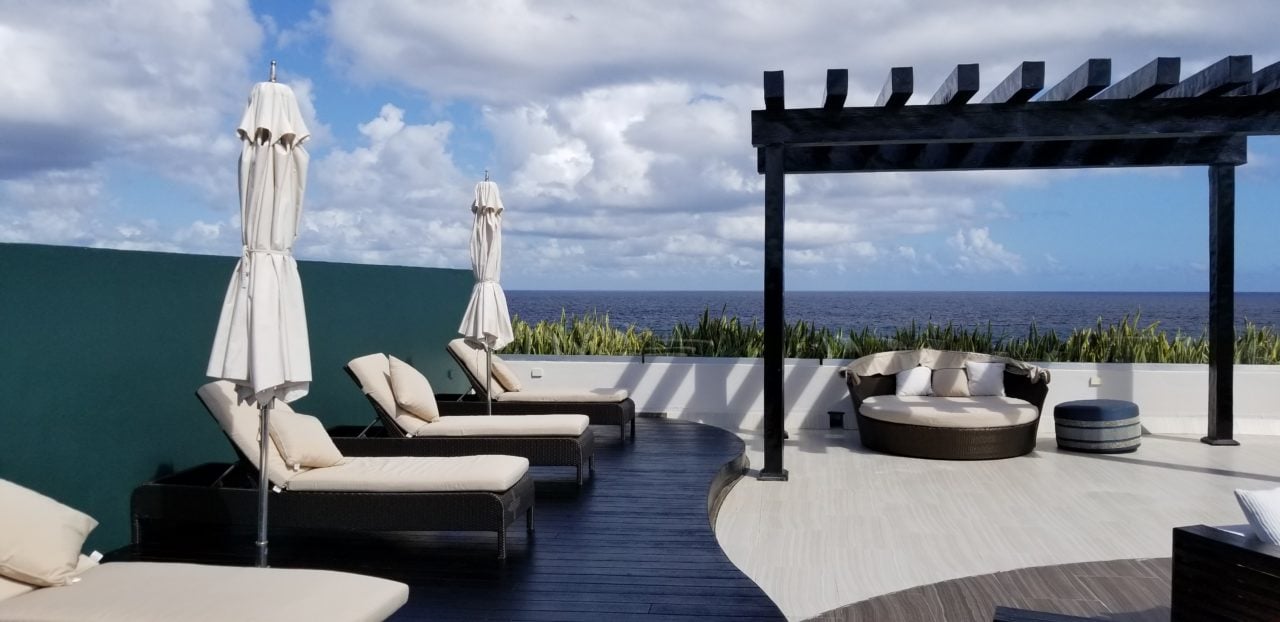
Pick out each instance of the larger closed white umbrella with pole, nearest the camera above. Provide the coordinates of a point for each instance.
(262, 341)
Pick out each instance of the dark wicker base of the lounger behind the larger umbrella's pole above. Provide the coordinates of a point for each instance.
(226, 496)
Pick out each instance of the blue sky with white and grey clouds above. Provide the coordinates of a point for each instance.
(618, 131)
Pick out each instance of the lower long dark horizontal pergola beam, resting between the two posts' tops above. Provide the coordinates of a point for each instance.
(1026, 155)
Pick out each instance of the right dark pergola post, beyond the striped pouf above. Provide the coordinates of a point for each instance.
(1222, 304)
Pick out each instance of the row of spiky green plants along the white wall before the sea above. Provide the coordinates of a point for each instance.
(1127, 341)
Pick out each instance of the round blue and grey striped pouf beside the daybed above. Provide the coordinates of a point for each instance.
(1098, 426)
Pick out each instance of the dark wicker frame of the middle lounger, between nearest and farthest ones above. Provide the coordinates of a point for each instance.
(390, 440)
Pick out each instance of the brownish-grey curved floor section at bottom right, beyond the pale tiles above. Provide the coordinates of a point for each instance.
(1130, 591)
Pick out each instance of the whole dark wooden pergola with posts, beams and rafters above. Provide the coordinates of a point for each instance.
(1151, 118)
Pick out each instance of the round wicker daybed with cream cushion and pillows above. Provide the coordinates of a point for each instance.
(945, 428)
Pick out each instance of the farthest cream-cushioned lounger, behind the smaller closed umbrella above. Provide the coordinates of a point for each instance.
(604, 406)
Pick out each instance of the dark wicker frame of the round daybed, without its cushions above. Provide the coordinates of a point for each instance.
(947, 443)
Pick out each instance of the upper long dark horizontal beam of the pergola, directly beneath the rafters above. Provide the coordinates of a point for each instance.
(1086, 121)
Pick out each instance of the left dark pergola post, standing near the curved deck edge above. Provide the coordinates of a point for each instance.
(775, 318)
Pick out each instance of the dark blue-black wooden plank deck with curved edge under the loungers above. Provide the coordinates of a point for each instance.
(634, 543)
